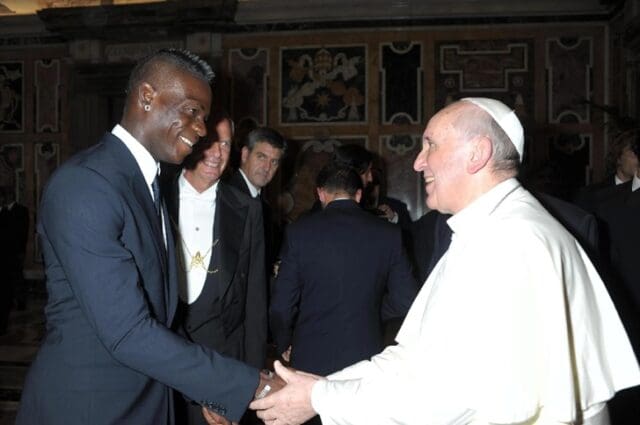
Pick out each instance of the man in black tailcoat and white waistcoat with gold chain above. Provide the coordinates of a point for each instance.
(220, 248)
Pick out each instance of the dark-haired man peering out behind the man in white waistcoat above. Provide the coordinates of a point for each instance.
(260, 159)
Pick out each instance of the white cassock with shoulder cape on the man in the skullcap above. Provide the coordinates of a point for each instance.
(514, 325)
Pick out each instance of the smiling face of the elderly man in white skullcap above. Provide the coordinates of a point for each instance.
(442, 163)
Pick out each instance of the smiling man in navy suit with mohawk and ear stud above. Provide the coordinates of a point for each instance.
(108, 355)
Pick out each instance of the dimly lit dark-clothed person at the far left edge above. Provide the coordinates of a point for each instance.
(14, 228)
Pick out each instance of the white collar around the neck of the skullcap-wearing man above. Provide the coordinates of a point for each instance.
(466, 220)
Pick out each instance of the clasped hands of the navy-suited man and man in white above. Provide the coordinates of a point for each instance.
(286, 402)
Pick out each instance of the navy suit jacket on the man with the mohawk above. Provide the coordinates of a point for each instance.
(108, 355)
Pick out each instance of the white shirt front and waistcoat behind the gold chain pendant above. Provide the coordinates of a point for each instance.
(197, 213)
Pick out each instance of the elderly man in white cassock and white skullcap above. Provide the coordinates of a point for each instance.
(513, 326)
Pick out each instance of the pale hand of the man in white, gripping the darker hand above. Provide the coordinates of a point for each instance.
(292, 404)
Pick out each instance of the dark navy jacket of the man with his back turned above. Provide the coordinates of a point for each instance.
(343, 272)
